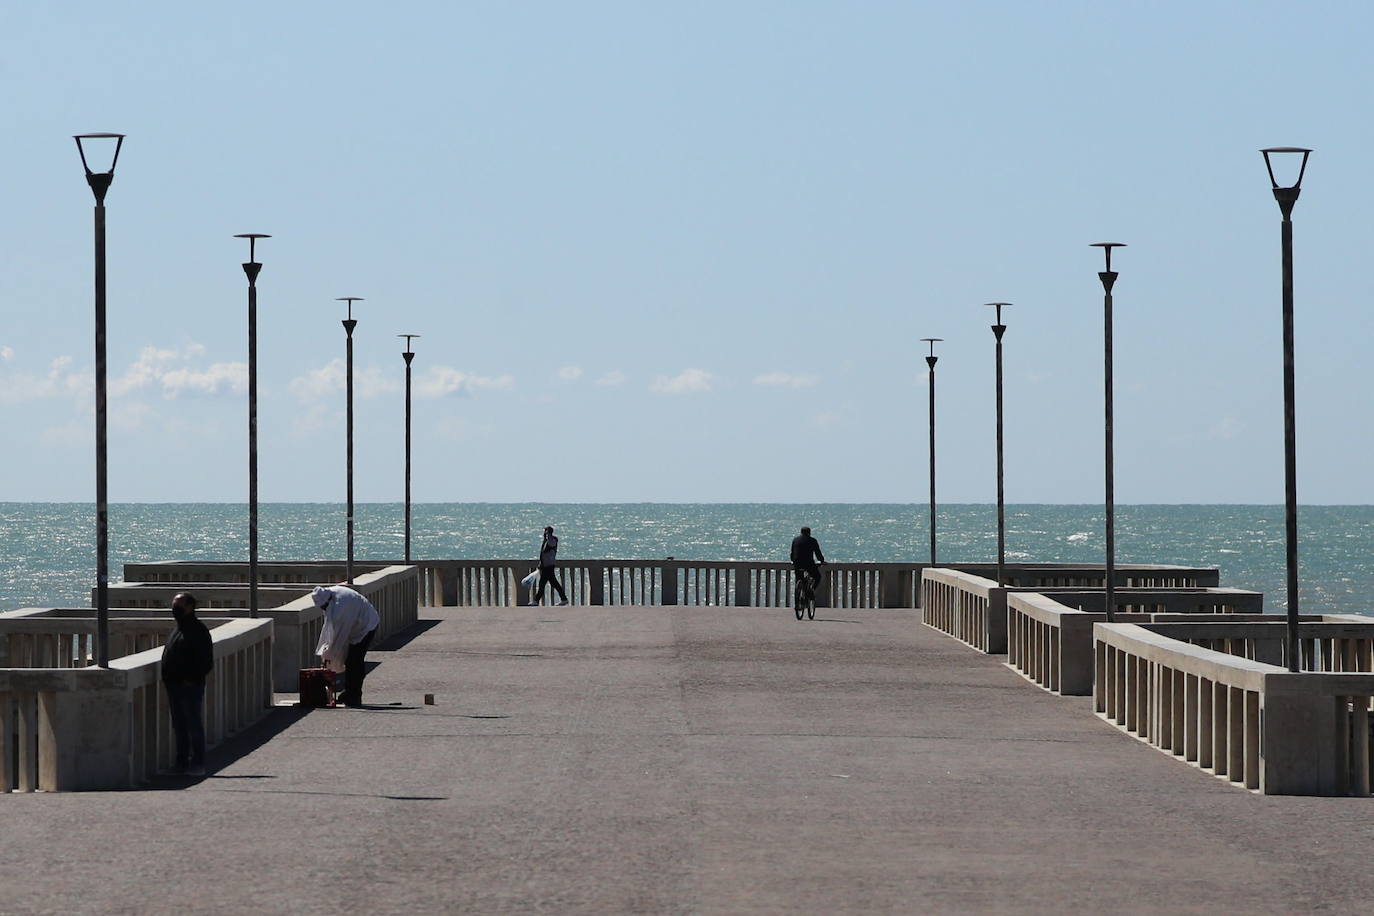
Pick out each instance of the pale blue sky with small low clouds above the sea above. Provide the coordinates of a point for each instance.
(688, 252)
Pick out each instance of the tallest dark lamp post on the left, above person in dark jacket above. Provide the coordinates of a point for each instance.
(100, 183)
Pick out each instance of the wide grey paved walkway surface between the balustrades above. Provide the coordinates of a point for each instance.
(688, 762)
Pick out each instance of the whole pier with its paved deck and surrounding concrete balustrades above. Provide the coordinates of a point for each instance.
(675, 741)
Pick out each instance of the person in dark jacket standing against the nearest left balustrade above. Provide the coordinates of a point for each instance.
(188, 660)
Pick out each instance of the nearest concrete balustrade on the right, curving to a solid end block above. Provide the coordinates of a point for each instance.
(1250, 723)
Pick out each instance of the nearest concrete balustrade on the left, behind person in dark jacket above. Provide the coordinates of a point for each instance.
(91, 729)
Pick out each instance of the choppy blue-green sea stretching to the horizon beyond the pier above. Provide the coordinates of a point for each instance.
(47, 550)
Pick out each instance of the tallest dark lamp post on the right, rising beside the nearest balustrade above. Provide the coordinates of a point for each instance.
(1287, 197)
